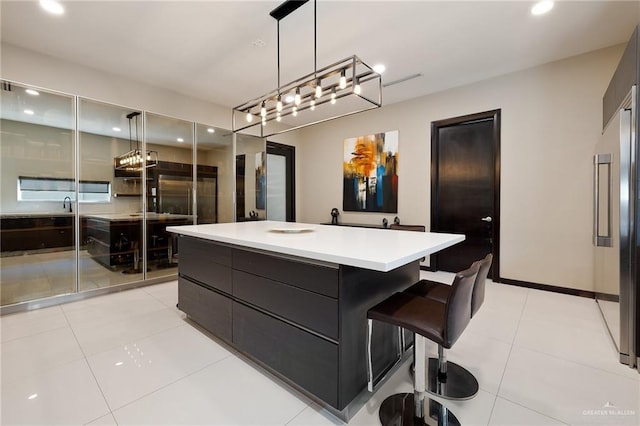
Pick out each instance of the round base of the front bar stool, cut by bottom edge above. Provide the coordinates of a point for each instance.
(399, 410)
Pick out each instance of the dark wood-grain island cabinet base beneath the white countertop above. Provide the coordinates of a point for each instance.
(302, 320)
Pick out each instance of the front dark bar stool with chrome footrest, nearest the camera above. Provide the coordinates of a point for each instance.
(443, 323)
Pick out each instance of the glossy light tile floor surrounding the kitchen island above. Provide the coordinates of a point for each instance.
(131, 358)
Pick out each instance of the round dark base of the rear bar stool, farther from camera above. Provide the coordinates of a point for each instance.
(460, 384)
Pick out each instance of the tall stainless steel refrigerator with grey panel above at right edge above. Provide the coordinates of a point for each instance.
(616, 208)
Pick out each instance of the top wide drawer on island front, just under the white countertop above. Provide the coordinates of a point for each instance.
(309, 276)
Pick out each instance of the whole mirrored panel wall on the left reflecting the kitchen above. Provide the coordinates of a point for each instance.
(89, 188)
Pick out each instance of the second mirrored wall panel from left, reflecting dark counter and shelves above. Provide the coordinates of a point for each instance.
(110, 243)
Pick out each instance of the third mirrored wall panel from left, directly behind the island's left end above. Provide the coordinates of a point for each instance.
(170, 192)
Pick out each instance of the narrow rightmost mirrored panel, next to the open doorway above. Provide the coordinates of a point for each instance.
(251, 190)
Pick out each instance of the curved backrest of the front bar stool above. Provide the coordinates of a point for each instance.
(458, 306)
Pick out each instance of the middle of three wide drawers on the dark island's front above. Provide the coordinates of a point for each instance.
(311, 310)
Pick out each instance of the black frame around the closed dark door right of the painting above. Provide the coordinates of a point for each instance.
(435, 126)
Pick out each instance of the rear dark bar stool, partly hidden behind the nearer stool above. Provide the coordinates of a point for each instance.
(460, 383)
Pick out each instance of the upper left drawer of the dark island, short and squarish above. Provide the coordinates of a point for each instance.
(206, 262)
